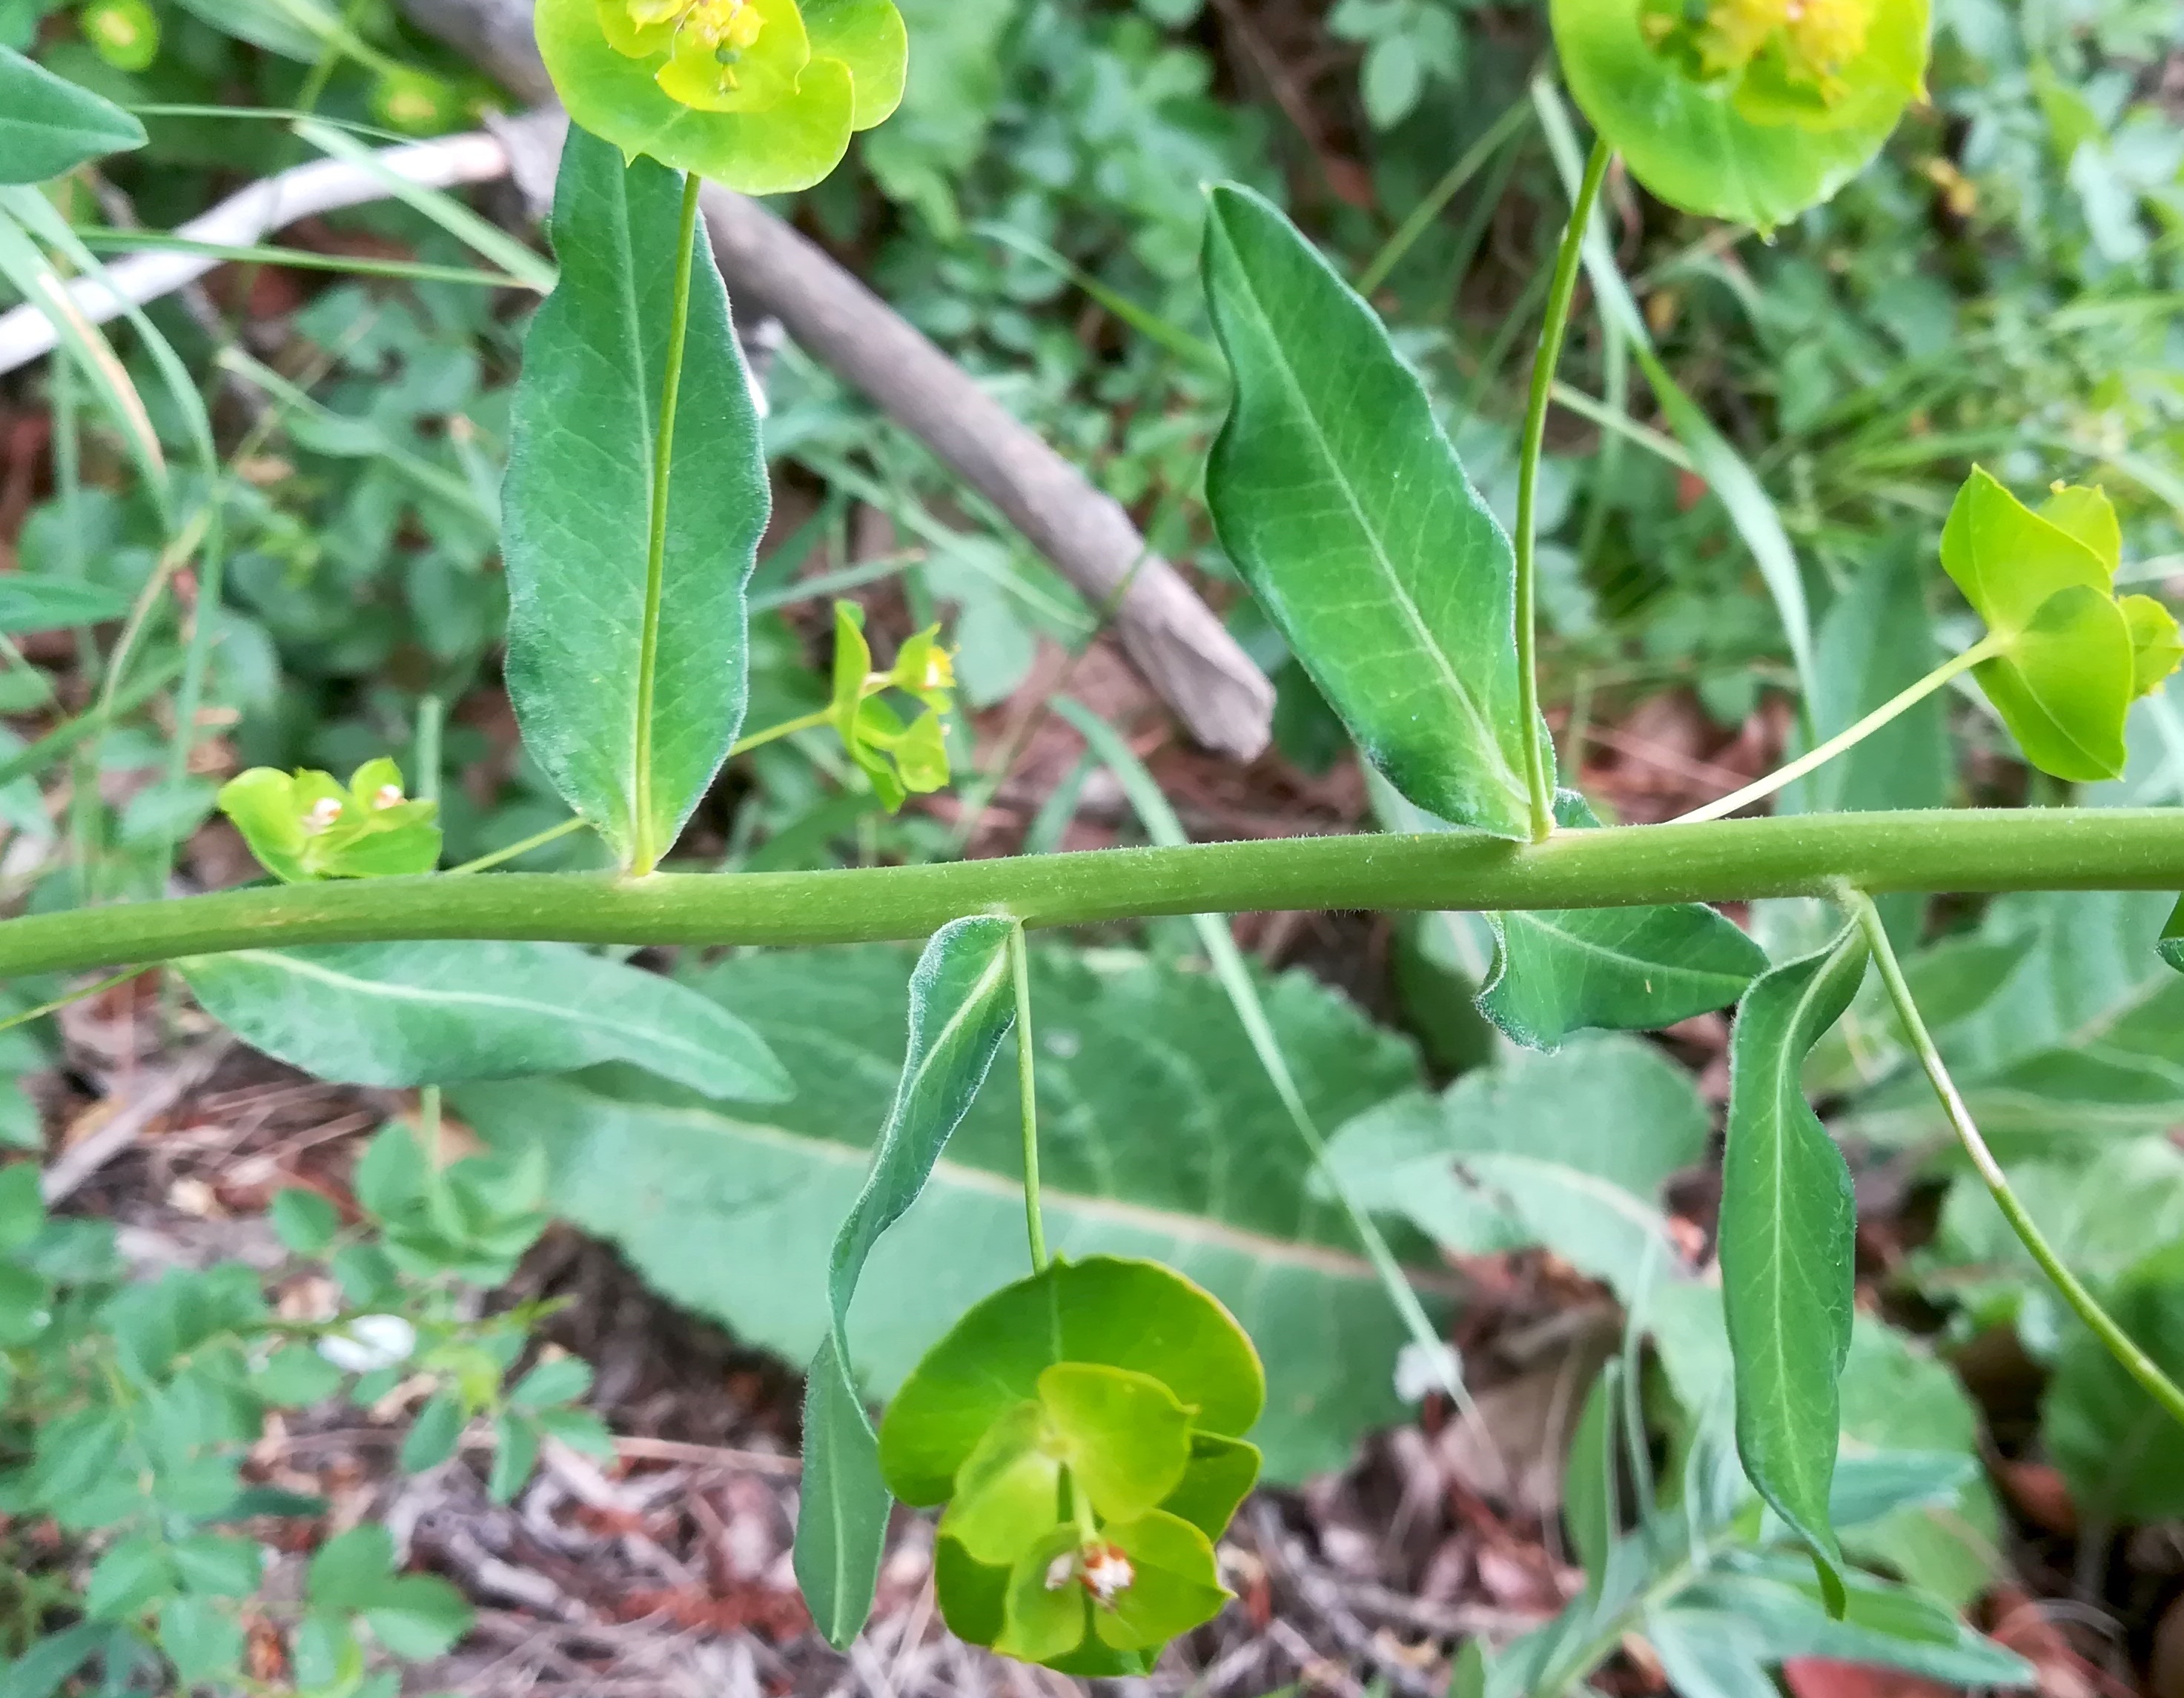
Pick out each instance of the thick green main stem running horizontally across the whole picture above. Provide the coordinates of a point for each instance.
(1965, 850)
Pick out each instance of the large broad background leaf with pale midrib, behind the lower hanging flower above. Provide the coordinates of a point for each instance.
(1161, 1140)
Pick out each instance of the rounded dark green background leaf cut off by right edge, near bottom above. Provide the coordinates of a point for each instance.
(2122, 1452)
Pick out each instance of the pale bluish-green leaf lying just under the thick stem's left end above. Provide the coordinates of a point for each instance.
(440, 1014)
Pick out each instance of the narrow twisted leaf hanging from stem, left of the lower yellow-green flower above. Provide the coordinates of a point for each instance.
(962, 1005)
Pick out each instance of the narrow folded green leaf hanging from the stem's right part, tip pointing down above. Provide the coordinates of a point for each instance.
(1788, 1228)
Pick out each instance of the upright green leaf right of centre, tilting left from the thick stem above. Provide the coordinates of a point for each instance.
(1346, 510)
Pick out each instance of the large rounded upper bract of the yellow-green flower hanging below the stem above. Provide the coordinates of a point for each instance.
(1102, 1311)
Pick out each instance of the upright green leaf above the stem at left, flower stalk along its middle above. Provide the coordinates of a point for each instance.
(578, 507)
